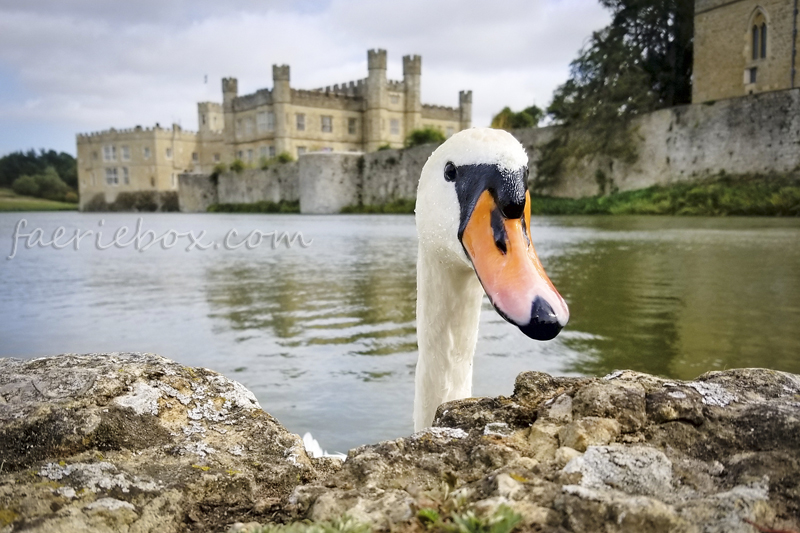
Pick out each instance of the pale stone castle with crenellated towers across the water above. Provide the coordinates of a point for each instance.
(358, 116)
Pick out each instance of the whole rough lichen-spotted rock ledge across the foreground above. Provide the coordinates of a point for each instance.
(128, 442)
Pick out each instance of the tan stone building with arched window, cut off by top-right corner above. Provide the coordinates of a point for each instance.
(743, 47)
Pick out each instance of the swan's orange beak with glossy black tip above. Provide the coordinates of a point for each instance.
(502, 253)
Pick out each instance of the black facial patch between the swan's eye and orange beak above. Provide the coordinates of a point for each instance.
(507, 187)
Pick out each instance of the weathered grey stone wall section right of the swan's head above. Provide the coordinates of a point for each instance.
(755, 134)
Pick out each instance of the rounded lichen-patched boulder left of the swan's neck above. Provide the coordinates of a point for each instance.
(136, 442)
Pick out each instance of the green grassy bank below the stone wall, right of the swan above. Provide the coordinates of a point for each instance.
(771, 195)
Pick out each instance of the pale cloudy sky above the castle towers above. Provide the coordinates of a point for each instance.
(77, 66)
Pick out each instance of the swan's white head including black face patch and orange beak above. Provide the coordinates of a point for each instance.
(473, 212)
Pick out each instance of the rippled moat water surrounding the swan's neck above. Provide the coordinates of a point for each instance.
(325, 335)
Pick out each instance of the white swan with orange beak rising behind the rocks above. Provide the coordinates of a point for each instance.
(473, 222)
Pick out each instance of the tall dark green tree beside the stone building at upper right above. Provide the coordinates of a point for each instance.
(641, 62)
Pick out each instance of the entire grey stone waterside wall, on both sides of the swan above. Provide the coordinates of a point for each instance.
(756, 134)
